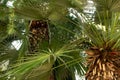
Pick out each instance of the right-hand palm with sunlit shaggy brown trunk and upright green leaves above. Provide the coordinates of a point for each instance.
(104, 54)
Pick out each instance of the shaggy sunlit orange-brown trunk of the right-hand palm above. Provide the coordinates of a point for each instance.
(103, 64)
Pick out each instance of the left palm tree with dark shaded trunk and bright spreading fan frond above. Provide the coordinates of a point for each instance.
(54, 61)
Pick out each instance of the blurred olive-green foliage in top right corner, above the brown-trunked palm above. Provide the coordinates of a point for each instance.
(105, 9)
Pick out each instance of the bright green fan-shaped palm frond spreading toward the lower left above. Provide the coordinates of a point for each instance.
(43, 59)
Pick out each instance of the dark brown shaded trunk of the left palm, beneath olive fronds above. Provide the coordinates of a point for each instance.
(38, 33)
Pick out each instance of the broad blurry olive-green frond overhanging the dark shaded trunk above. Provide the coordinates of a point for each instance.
(39, 9)
